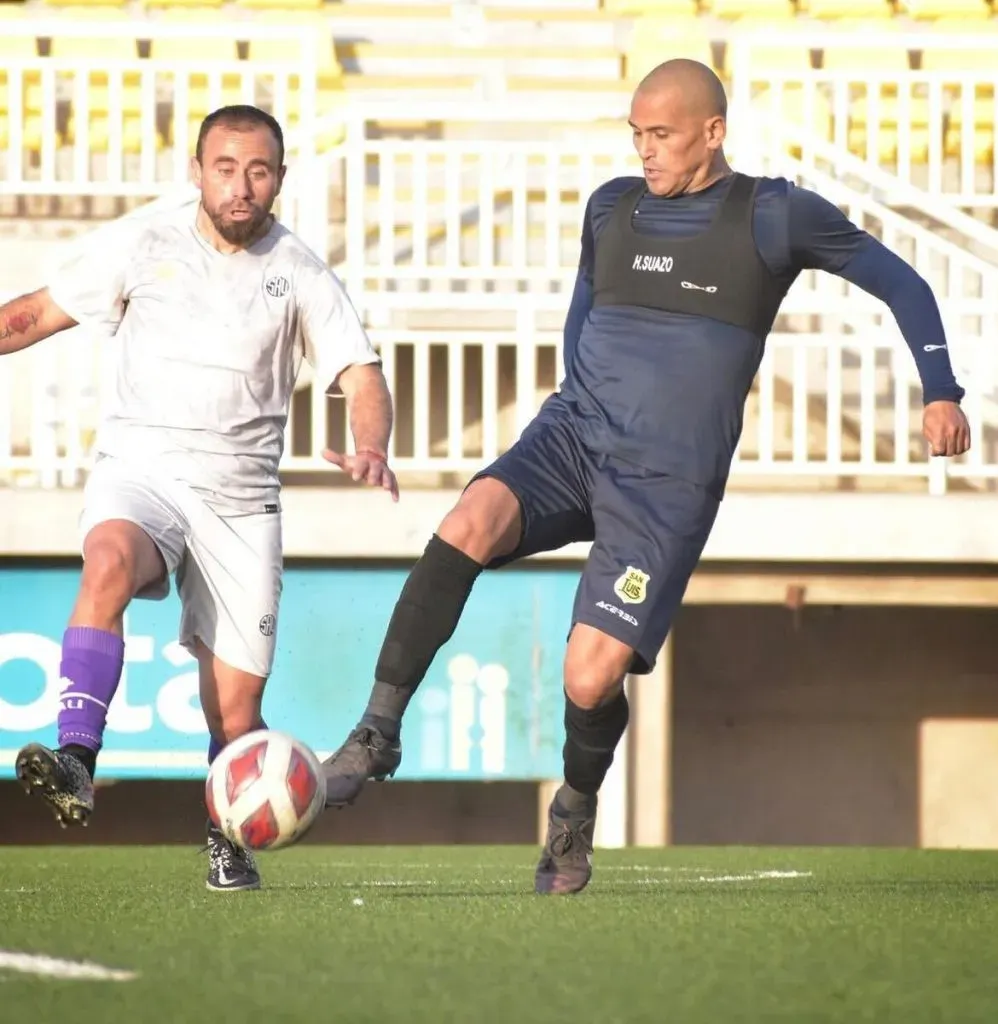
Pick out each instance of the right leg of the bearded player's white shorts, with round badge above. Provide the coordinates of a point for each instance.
(231, 585)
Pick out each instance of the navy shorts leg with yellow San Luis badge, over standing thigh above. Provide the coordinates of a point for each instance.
(650, 533)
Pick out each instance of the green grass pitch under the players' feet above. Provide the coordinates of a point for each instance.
(436, 935)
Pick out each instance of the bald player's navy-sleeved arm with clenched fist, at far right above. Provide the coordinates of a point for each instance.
(822, 238)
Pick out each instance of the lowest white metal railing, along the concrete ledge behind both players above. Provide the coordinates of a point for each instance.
(833, 405)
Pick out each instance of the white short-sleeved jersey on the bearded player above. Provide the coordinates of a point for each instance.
(209, 347)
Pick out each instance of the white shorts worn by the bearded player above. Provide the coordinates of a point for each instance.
(229, 568)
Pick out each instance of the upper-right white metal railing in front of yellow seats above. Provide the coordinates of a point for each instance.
(935, 129)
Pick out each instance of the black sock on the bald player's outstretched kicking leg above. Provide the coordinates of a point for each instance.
(425, 618)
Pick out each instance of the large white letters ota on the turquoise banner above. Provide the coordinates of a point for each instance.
(177, 704)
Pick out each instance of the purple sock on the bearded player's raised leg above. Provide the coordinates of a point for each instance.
(92, 667)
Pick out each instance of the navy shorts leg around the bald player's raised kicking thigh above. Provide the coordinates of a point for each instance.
(552, 476)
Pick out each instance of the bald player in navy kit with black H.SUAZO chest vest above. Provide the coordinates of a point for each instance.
(681, 278)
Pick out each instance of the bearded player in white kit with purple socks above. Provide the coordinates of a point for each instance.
(213, 307)
